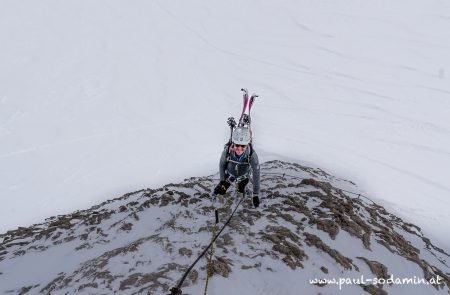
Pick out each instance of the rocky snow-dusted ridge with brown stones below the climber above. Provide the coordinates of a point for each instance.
(306, 228)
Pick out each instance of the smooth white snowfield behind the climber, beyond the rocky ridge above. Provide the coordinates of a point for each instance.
(99, 98)
